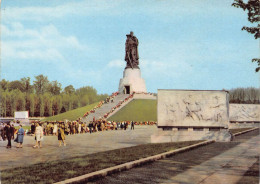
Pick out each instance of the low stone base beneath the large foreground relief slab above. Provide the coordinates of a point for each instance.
(191, 134)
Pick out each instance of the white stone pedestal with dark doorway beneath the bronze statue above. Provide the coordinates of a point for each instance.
(132, 82)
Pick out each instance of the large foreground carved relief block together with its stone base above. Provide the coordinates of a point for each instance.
(185, 115)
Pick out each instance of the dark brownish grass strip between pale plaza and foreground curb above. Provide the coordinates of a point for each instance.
(55, 171)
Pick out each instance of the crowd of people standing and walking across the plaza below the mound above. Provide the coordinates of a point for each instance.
(61, 129)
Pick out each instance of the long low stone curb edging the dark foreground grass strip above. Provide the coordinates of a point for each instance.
(129, 165)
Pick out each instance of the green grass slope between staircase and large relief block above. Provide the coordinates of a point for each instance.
(137, 110)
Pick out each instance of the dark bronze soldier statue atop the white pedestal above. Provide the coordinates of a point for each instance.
(131, 51)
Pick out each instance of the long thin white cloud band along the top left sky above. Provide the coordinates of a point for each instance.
(43, 13)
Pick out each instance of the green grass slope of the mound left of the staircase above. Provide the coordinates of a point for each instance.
(71, 115)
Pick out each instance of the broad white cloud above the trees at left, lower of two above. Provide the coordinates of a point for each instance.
(46, 43)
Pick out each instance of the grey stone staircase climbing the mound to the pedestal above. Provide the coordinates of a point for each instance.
(100, 112)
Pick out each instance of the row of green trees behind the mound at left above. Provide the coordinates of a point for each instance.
(43, 97)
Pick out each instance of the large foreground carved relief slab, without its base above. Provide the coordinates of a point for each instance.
(192, 108)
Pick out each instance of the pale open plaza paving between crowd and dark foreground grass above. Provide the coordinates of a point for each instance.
(77, 145)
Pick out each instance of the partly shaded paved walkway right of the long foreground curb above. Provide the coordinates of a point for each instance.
(217, 163)
